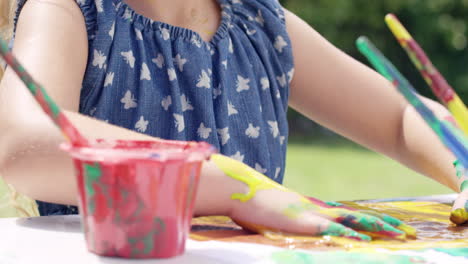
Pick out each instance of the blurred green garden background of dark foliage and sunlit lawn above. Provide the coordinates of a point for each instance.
(326, 166)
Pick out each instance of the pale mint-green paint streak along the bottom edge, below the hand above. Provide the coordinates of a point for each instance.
(294, 257)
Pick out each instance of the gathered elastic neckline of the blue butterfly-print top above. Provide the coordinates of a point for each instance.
(145, 23)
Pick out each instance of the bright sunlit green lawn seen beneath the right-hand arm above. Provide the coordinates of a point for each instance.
(344, 171)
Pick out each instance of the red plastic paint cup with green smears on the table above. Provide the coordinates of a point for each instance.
(136, 198)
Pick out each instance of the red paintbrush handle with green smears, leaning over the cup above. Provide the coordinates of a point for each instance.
(41, 96)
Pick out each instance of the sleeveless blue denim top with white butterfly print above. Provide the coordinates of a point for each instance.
(166, 81)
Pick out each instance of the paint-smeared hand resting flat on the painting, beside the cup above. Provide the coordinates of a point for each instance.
(269, 207)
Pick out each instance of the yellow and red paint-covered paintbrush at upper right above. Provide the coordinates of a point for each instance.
(431, 75)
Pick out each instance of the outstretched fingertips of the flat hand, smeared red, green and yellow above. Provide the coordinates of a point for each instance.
(371, 225)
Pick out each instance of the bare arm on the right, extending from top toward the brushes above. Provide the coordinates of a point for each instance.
(337, 91)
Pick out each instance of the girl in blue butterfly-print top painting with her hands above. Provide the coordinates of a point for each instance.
(221, 71)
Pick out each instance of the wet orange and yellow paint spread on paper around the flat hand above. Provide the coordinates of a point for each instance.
(430, 219)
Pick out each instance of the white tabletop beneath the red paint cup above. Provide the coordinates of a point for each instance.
(59, 239)
